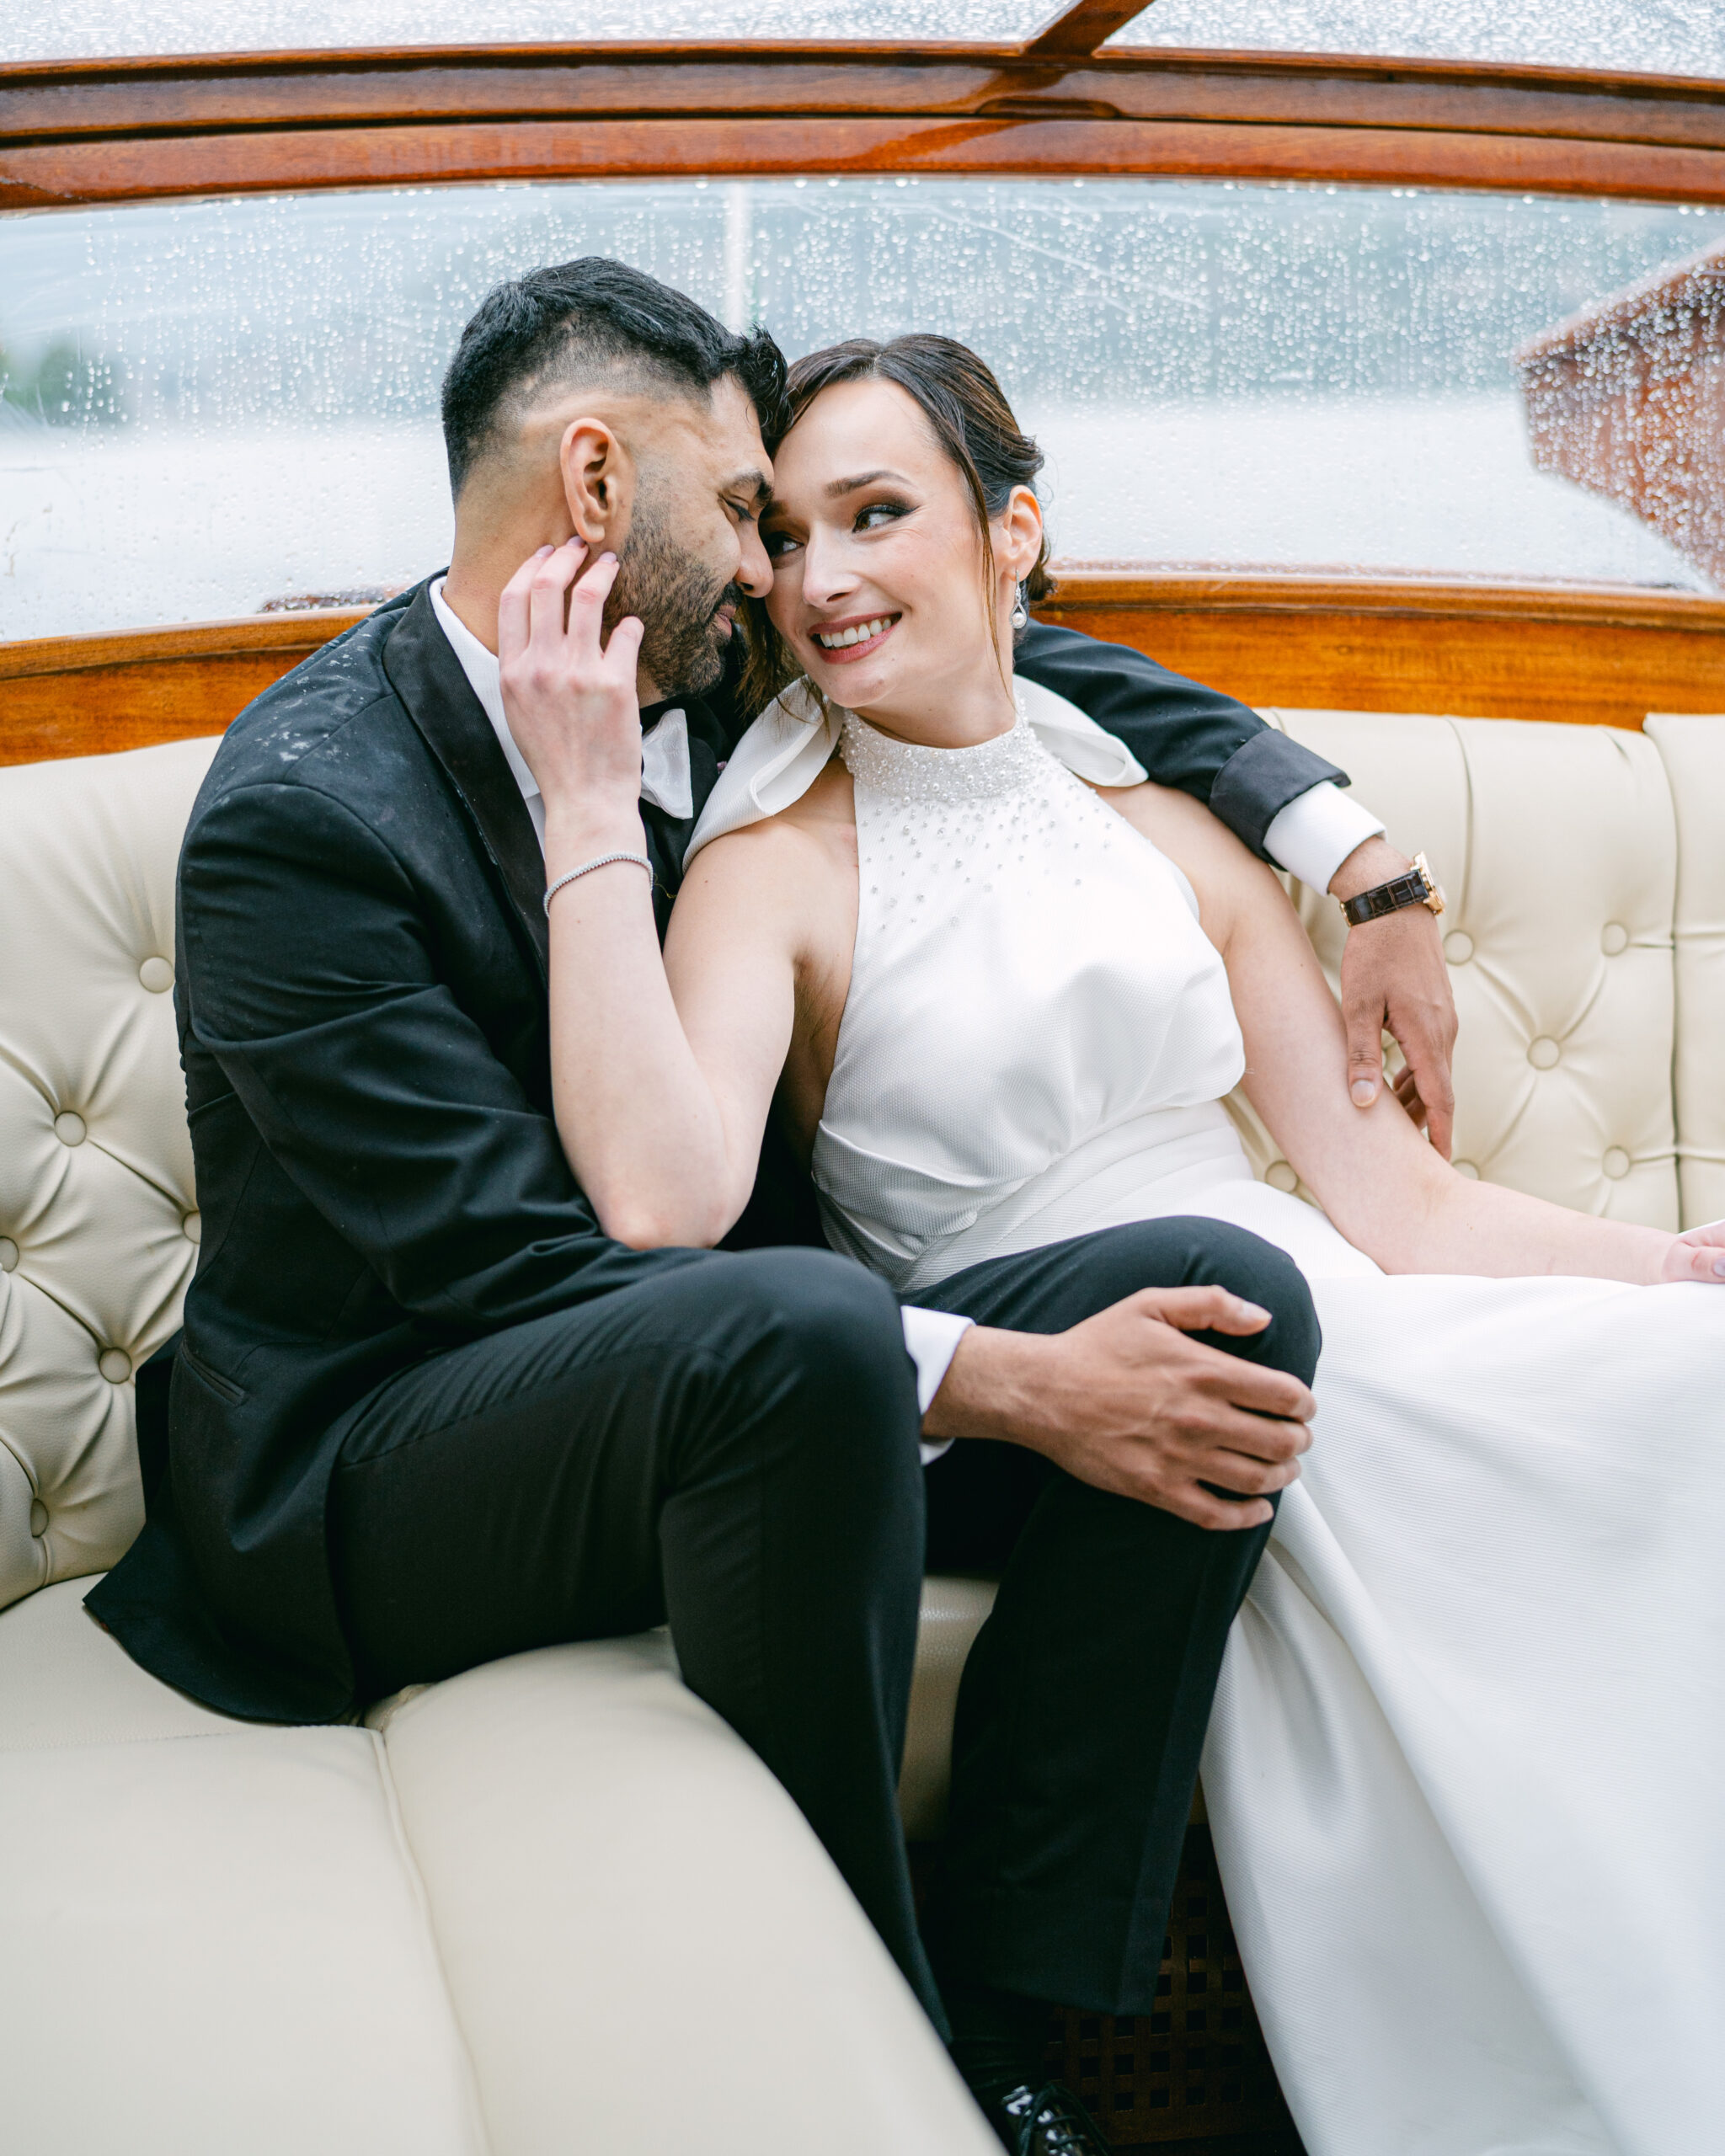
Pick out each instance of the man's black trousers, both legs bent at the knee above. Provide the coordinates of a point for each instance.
(734, 1450)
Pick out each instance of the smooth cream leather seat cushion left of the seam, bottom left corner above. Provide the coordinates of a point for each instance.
(215, 1937)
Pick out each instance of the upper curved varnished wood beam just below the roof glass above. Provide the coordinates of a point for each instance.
(247, 92)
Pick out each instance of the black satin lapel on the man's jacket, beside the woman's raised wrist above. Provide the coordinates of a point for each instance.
(441, 702)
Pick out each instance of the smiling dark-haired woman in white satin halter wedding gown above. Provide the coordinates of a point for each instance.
(1467, 1750)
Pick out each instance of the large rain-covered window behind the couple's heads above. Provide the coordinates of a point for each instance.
(210, 406)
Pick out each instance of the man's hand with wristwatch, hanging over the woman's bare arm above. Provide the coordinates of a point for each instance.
(1394, 980)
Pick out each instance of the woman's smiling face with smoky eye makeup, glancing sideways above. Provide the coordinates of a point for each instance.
(879, 566)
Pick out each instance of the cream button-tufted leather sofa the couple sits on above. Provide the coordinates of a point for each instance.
(555, 1903)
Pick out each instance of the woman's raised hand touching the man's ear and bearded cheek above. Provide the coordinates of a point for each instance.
(568, 700)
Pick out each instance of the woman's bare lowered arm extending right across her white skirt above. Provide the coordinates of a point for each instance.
(1388, 1191)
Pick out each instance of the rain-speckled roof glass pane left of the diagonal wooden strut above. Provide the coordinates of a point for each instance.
(102, 31)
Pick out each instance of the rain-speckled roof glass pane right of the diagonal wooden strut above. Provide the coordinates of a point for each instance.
(1644, 38)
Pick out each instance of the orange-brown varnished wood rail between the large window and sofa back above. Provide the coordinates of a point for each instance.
(1582, 654)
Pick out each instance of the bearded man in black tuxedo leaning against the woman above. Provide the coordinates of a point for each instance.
(428, 1413)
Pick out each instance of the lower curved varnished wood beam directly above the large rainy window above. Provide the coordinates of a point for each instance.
(102, 171)
